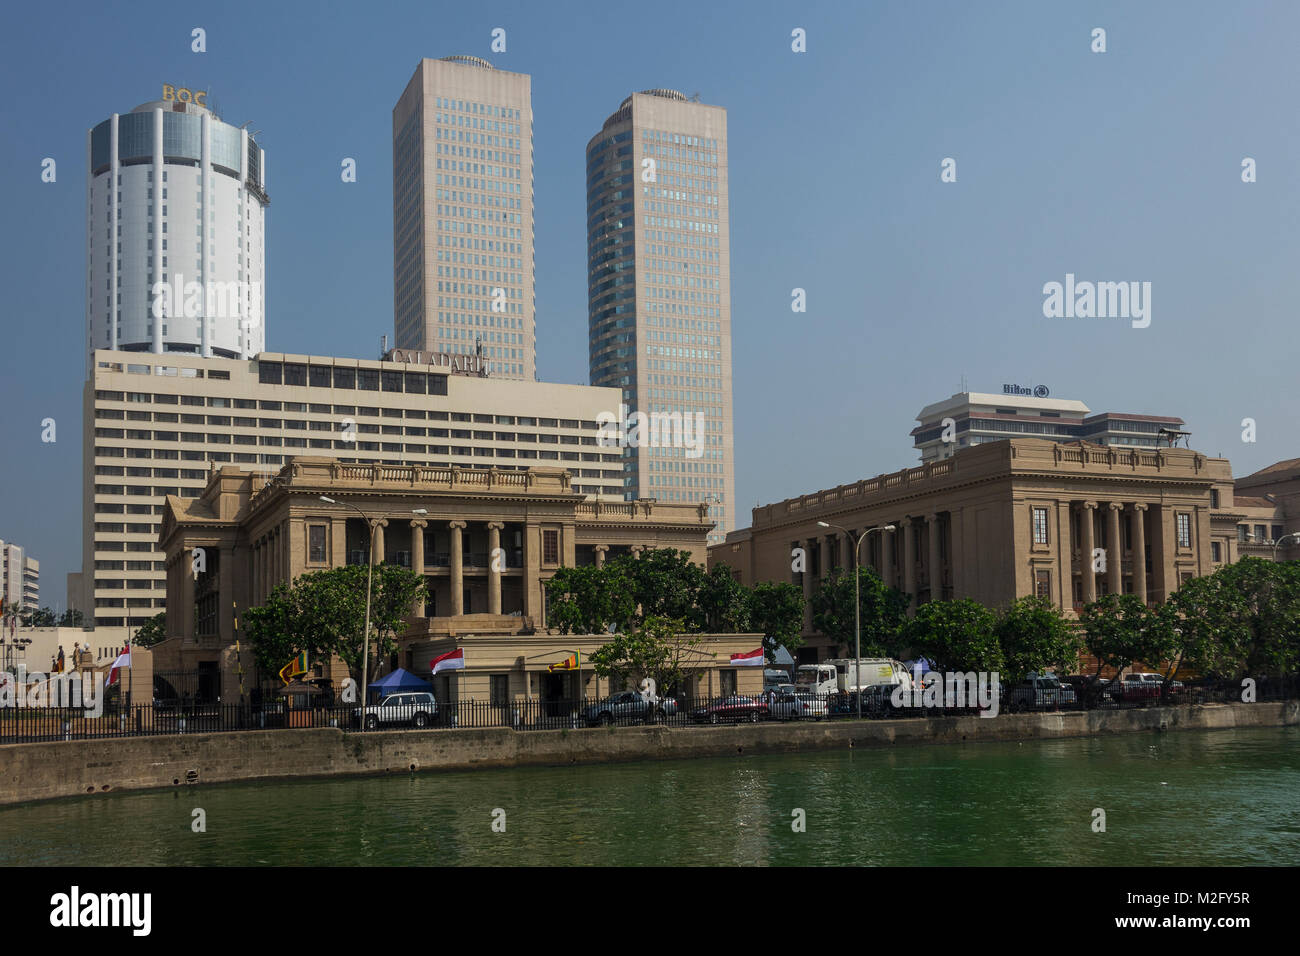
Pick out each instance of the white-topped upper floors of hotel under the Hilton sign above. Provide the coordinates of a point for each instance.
(977, 418)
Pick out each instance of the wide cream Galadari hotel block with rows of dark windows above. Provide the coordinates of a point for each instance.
(157, 426)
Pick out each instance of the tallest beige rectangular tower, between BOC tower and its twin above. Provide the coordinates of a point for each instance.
(463, 215)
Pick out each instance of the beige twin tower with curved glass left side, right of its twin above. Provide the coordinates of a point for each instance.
(660, 296)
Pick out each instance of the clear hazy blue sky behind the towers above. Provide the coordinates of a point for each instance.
(1117, 166)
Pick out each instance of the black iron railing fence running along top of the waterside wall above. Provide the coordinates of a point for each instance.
(421, 712)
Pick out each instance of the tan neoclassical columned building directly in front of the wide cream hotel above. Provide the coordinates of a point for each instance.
(486, 542)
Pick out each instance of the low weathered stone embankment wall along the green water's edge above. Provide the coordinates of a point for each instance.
(63, 769)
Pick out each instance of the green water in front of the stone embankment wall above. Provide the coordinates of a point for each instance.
(1220, 798)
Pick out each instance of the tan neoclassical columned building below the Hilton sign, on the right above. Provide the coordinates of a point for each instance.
(1012, 518)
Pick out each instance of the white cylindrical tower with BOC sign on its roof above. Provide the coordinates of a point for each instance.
(175, 197)
